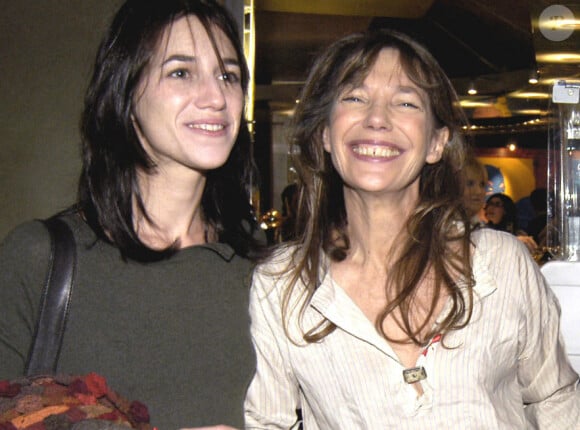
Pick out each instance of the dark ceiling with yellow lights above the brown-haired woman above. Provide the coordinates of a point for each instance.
(491, 44)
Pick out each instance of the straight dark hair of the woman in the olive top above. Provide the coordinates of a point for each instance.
(112, 153)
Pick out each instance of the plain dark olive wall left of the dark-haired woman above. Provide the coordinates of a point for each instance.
(47, 48)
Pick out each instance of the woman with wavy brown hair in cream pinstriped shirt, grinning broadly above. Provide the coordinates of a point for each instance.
(389, 310)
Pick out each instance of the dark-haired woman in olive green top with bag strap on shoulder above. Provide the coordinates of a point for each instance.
(164, 228)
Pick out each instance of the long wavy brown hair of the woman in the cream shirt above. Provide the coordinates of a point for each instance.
(432, 243)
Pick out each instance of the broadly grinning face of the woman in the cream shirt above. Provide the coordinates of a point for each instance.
(381, 132)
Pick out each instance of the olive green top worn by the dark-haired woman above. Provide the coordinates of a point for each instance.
(172, 334)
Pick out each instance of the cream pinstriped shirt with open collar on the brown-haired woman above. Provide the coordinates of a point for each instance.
(510, 354)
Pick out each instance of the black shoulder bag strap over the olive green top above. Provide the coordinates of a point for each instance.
(55, 301)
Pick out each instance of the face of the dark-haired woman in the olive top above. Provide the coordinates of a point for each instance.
(189, 106)
